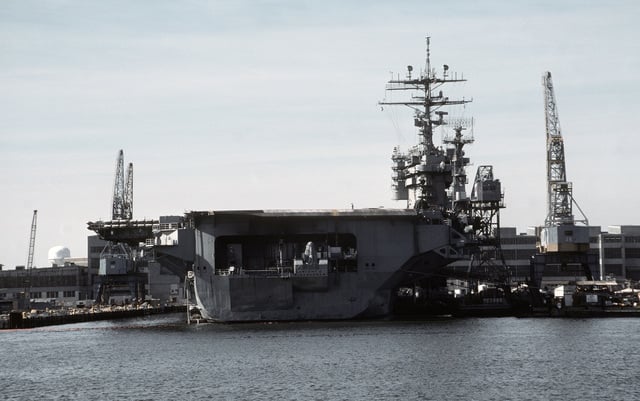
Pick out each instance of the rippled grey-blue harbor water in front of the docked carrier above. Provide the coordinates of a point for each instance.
(163, 358)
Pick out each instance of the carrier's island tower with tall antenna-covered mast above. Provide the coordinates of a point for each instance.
(430, 178)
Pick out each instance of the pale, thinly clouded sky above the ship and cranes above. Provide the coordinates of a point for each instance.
(273, 105)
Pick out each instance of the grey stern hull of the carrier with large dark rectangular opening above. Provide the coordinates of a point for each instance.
(321, 265)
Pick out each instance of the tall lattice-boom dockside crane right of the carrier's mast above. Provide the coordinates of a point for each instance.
(563, 241)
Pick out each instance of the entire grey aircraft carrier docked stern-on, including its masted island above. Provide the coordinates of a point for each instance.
(271, 265)
